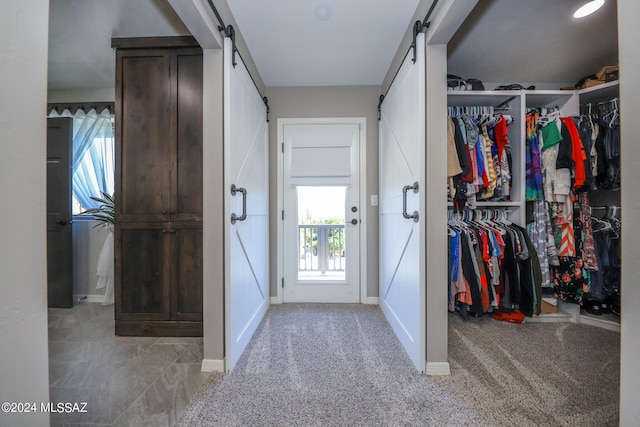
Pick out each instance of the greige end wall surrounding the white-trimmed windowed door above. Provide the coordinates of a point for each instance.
(314, 102)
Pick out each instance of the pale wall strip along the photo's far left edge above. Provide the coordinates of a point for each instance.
(24, 374)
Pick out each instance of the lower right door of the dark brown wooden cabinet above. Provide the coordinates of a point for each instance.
(187, 294)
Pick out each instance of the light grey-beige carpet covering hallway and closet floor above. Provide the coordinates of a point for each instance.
(341, 365)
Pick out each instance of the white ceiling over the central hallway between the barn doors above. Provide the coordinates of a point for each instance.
(323, 42)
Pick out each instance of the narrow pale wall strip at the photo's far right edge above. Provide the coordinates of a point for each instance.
(628, 36)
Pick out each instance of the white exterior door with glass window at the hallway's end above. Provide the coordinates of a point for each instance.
(321, 201)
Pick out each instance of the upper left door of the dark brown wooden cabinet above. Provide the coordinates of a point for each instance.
(143, 137)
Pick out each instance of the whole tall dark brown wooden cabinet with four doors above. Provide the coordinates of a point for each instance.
(158, 233)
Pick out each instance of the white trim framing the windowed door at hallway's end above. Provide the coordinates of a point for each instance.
(362, 123)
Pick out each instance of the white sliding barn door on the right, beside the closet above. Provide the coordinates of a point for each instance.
(402, 206)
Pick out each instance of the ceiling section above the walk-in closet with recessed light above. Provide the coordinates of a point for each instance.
(507, 42)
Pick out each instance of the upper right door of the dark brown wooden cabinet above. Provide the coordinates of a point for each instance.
(187, 64)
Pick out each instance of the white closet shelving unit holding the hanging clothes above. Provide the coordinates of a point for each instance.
(515, 103)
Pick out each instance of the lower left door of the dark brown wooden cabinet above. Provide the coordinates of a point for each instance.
(143, 273)
